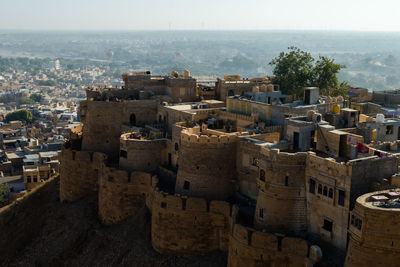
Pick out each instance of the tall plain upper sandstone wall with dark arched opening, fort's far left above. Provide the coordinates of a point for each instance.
(104, 120)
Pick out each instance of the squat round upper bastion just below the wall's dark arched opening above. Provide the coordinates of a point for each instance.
(142, 155)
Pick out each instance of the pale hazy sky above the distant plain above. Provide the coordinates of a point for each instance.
(366, 15)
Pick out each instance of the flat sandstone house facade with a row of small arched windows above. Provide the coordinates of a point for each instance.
(326, 180)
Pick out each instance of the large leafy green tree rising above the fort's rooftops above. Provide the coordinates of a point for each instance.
(296, 69)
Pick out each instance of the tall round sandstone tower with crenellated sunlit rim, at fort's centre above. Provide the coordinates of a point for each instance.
(206, 162)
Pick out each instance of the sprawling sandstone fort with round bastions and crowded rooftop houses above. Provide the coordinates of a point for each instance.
(239, 167)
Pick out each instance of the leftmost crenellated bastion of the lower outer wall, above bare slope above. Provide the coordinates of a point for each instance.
(79, 172)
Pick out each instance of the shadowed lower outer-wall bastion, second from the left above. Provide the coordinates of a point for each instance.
(123, 194)
